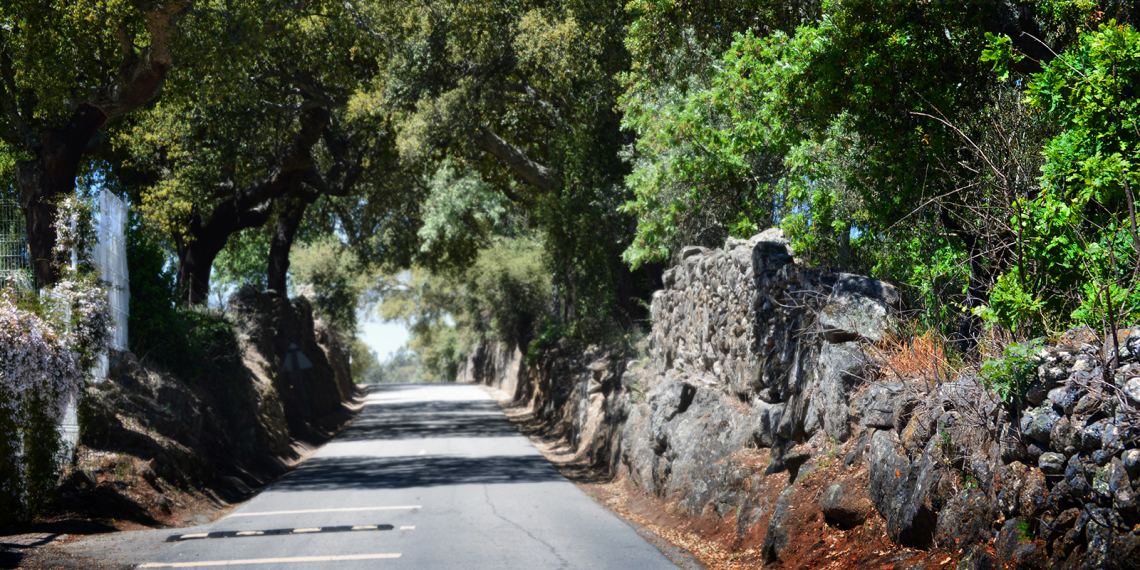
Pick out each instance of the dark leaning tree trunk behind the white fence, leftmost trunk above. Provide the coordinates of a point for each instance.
(51, 176)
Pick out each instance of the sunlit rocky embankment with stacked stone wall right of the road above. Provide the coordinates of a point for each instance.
(768, 403)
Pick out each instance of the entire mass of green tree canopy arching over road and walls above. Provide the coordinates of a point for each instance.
(980, 154)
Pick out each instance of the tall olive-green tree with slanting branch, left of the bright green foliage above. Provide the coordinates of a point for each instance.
(522, 96)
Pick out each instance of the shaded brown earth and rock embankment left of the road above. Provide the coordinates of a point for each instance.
(164, 447)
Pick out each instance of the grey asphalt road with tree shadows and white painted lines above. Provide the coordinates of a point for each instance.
(429, 477)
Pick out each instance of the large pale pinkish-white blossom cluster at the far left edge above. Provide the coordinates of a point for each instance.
(35, 361)
